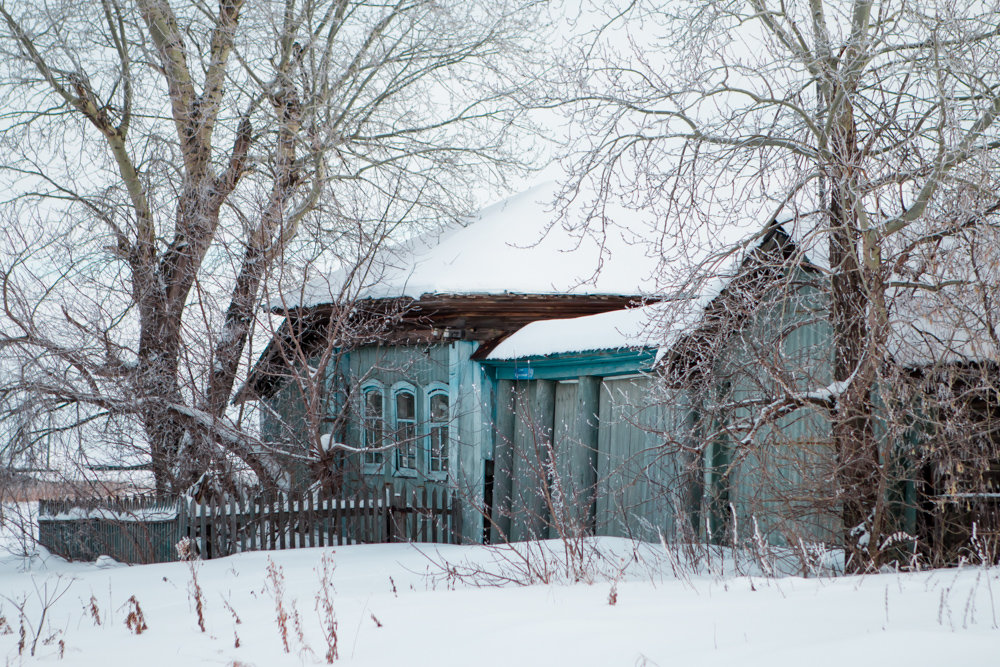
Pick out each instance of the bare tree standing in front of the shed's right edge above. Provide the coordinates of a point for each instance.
(874, 121)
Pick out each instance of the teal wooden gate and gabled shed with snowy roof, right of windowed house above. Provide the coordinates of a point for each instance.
(631, 419)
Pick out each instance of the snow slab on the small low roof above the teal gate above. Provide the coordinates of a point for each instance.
(618, 329)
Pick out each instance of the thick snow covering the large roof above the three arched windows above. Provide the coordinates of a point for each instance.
(517, 246)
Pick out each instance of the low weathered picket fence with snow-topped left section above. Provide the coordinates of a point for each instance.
(146, 529)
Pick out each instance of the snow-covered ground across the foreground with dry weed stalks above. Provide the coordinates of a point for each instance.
(395, 606)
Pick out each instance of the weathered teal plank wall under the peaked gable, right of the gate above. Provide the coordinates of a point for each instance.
(775, 483)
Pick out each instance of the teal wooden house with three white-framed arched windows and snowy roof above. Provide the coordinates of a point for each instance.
(414, 402)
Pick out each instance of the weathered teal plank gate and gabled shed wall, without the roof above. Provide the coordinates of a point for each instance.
(677, 462)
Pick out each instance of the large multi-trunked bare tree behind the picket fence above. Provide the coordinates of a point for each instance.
(164, 159)
